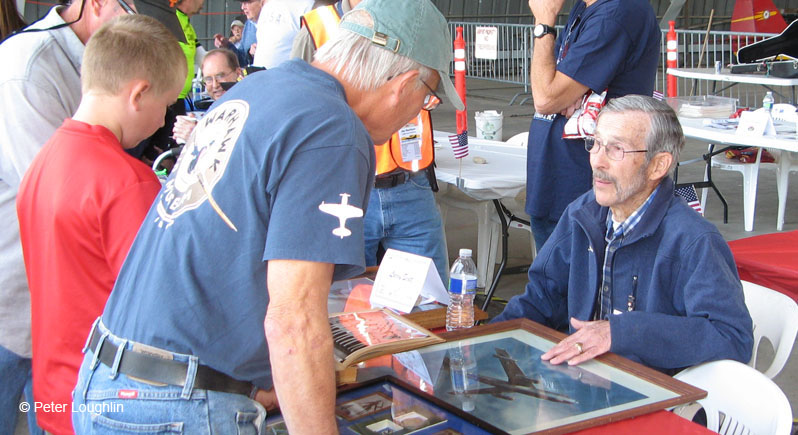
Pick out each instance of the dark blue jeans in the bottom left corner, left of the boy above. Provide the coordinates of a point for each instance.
(15, 379)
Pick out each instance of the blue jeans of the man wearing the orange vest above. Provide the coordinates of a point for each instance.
(405, 218)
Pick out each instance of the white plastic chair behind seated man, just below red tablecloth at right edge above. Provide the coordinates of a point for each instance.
(775, 317)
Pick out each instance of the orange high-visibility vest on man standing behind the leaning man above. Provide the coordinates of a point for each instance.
(412, 147)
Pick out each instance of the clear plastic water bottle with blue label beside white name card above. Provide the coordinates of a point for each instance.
(462, 287)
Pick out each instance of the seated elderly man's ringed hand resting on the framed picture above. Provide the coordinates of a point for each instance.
(590, 340)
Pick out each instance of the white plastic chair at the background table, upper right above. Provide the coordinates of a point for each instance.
(750, 171)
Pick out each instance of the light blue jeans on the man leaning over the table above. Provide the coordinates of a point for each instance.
(105, 401)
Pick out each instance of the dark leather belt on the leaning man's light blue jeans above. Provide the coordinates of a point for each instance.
(154, 369)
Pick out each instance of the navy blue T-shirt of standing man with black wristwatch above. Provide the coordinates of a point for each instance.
(611, 45)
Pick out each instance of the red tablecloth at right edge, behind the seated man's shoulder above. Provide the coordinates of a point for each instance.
(770, 260)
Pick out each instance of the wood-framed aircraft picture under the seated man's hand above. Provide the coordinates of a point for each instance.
(494, 372)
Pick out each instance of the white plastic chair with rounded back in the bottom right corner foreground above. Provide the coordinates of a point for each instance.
(750, 403)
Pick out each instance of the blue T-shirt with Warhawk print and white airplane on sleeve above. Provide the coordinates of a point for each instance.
(255, 182)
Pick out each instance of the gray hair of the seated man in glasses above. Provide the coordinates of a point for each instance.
(664, 133)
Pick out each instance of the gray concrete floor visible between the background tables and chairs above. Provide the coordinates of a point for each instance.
(461, 225)
